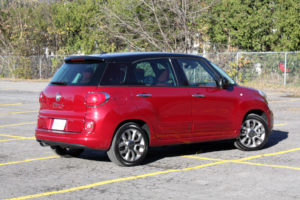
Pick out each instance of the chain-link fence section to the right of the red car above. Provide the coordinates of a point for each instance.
(272, 67)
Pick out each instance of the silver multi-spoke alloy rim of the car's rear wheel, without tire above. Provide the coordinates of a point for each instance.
(131, 145)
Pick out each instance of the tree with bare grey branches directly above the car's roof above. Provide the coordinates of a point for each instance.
(160, 25)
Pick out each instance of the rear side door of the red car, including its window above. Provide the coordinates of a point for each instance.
(159, 99)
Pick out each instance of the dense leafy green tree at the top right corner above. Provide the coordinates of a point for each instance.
(255, 25)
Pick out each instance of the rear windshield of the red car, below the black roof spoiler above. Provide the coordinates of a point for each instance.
(79, 74)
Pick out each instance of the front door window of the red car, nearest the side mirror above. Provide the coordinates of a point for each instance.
(197, 73)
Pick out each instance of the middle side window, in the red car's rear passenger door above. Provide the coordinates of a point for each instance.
(156, 72)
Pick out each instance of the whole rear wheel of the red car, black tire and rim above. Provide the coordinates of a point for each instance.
(129, 145)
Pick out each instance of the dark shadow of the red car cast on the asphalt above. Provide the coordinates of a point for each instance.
(158, 153)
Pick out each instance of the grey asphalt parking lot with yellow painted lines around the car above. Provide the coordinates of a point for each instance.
(197, 171)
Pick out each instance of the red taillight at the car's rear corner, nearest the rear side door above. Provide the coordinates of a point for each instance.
(96, 99)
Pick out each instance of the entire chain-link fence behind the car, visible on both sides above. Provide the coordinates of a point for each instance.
(273, 67)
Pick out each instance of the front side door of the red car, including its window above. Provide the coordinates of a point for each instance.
(212, 107)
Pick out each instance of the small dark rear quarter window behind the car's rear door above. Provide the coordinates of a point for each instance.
(115, 74)
